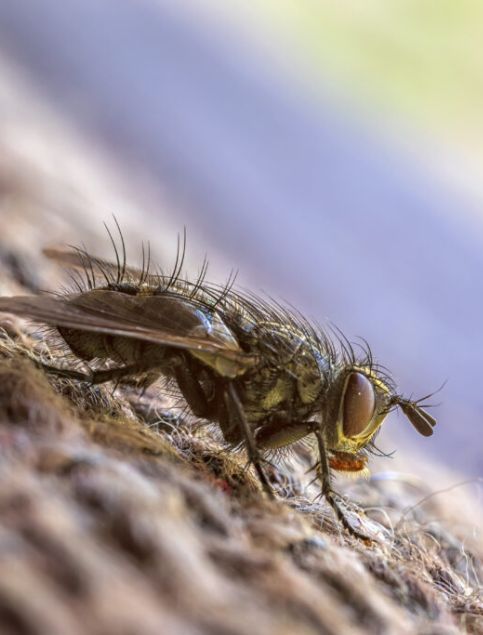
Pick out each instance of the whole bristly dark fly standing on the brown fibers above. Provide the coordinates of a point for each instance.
(264, 374)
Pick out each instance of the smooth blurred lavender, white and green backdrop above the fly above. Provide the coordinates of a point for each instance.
(330, 151)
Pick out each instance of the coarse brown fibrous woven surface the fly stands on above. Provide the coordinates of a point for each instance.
(116, 518)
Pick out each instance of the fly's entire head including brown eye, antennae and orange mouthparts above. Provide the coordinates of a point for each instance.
(358, 402)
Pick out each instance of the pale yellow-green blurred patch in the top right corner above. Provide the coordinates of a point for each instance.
(418, 58)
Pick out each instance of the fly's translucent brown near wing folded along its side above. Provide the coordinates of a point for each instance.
(164, 320)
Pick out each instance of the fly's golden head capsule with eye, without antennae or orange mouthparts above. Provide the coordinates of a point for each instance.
(356, 404)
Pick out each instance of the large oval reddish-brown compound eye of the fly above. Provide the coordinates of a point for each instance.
(358, 406)
